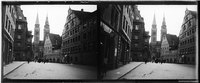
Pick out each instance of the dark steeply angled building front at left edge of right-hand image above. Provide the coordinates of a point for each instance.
(115, 39)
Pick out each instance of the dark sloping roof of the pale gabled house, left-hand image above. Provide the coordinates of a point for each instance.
(56, 40)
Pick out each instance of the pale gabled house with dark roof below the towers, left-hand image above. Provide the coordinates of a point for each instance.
(52, 48)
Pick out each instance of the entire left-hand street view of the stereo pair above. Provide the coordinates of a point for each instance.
(49, 42)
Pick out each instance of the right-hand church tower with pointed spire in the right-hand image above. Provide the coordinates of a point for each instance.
(163, 29)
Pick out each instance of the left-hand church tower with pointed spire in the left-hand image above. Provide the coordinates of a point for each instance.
(37, 31)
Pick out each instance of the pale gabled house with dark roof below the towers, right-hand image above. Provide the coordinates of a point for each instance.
(169, 48)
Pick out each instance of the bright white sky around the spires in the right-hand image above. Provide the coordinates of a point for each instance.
(174, 15)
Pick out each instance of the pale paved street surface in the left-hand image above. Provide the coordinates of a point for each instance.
(52, 71)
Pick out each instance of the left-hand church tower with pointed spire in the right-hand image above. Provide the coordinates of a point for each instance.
(154, 31)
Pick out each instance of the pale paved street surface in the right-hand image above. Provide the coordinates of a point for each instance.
(162, 71)
